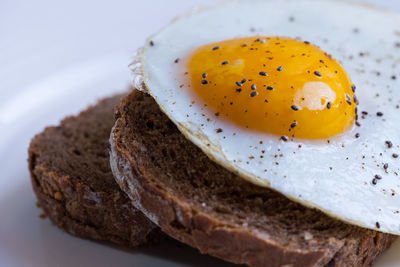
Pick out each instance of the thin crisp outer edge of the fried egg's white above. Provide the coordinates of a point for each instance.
(216, 153)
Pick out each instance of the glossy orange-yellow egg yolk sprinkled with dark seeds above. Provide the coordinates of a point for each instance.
(275, 85)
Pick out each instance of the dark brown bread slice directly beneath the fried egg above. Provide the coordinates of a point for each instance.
(205, 206)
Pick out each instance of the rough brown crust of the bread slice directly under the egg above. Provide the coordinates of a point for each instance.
(222, 238)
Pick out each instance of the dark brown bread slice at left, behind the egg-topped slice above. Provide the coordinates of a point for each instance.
(72, 179)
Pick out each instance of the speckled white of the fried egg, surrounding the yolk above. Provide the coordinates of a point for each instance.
(332, 175)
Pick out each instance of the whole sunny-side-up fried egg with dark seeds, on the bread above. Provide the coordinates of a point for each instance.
(300, 96)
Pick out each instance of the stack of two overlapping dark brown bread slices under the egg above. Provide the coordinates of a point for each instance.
(122, 172)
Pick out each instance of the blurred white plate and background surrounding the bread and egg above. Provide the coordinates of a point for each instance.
(55, 58)
